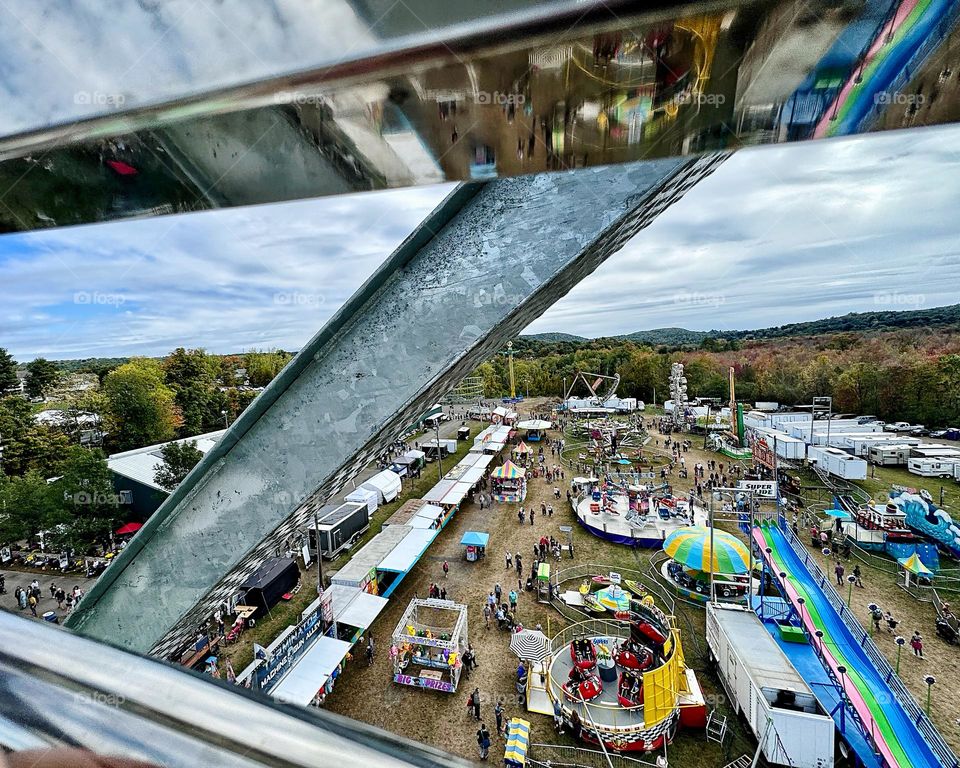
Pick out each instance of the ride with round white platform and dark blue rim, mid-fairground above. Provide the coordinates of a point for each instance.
(636, 515)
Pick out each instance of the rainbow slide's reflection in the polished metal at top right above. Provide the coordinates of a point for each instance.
(895, 45)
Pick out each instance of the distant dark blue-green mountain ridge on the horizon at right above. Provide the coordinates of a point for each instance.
(883, 320)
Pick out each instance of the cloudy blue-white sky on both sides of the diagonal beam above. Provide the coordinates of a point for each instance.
(777, 235)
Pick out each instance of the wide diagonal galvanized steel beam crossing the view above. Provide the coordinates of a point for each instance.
(489, 260)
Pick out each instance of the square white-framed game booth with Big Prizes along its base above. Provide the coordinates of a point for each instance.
(428, 645)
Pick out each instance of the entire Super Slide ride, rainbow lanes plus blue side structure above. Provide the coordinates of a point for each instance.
(869, 694)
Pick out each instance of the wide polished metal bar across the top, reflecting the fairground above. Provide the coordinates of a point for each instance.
(549, 86)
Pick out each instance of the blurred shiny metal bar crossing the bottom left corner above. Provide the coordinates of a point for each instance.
(58, 689)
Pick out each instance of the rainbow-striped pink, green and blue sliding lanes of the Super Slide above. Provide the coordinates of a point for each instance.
(895, 733)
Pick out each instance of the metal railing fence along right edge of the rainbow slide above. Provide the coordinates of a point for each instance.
(900, 692)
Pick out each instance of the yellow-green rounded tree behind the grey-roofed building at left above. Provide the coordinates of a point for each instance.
(141, 407)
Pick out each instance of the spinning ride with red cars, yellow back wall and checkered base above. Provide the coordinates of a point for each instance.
(608, 679)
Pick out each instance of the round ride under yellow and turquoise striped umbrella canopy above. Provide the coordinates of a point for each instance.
(688, 568)
